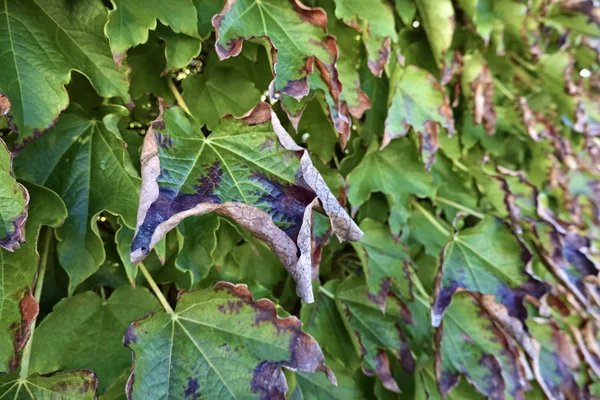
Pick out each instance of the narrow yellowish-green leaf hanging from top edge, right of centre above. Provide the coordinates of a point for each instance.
(439, 23)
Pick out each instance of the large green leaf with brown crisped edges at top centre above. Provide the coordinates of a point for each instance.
(298, 36)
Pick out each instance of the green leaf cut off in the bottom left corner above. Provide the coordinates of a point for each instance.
(70, 385)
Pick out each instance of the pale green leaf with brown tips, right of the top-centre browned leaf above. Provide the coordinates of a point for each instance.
(420, 102)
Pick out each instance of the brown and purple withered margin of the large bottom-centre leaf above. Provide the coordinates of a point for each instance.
(268, 379)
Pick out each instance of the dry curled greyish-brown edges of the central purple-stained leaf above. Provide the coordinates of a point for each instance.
(253, 219)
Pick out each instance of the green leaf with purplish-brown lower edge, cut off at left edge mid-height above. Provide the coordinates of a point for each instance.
(14, 201)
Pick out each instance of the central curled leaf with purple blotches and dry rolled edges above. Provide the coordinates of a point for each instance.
(248, 169)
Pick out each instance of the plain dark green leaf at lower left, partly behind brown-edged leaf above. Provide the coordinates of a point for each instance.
(86, 331)
